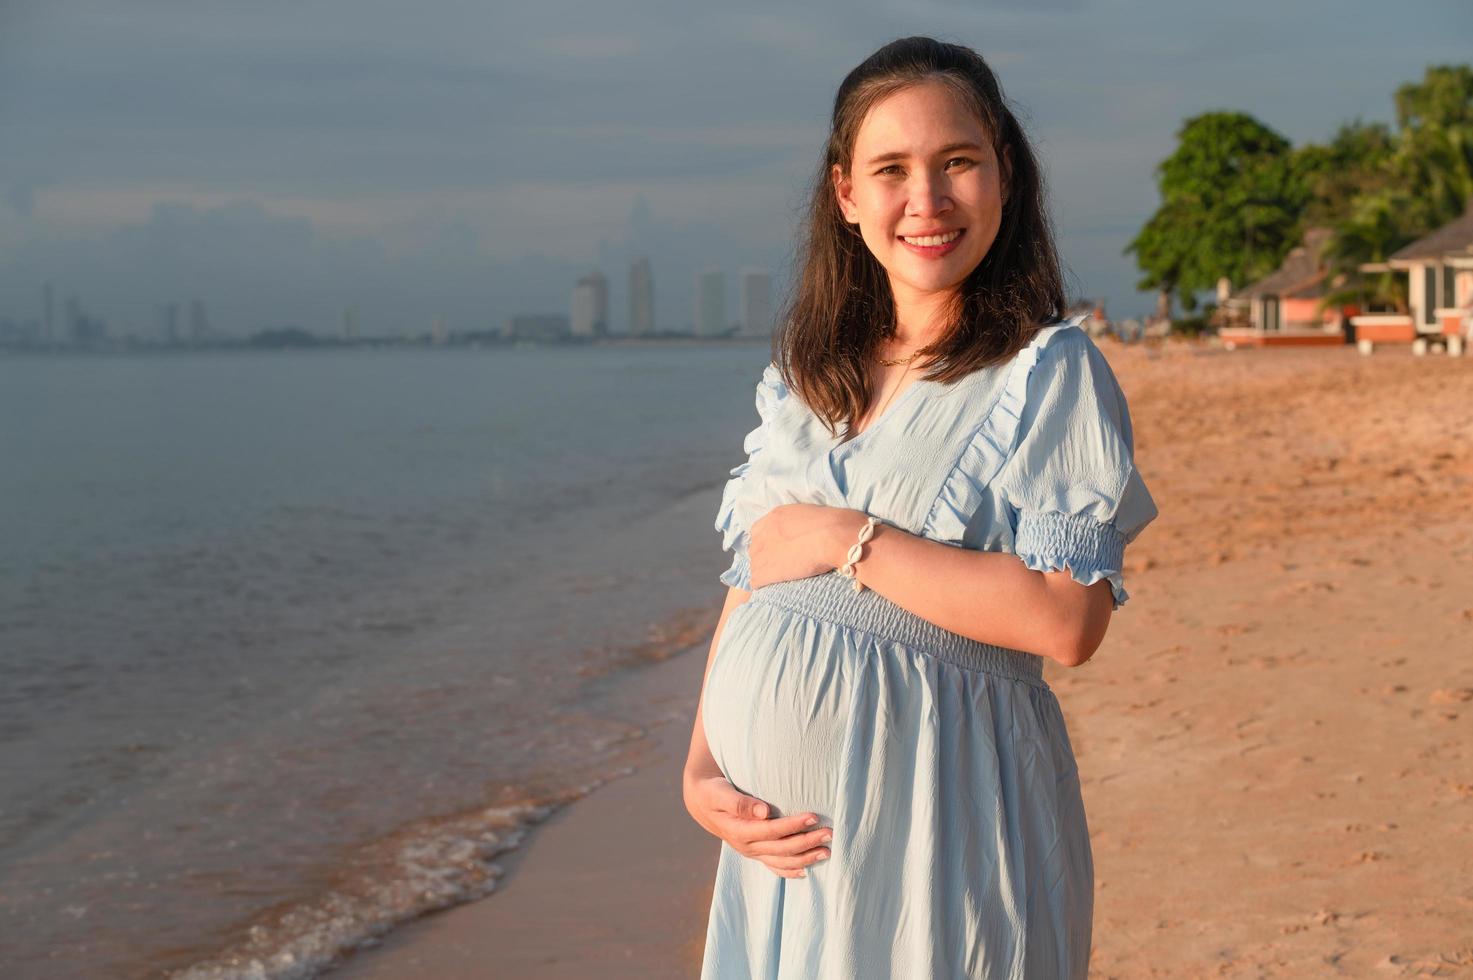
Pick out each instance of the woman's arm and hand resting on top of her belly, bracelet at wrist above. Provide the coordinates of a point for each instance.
(988, 596)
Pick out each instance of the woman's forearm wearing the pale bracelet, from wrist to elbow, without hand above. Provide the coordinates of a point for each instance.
(988, 596)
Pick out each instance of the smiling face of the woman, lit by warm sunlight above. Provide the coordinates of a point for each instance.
(926, 189)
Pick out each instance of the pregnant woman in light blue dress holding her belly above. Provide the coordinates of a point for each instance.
(936, 500)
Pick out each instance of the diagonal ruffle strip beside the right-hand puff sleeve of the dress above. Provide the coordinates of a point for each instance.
(989, 449)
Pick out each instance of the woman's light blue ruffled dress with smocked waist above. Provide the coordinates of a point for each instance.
(943, 764)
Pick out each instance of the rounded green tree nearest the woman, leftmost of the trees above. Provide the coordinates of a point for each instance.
(1231, 206)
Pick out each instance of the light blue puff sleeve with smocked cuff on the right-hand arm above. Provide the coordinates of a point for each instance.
(1070, 487)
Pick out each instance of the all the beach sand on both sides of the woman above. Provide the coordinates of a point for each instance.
(1275, 742)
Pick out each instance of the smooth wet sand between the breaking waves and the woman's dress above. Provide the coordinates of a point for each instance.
(616, 883)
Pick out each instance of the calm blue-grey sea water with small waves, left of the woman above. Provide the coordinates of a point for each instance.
(295, 643)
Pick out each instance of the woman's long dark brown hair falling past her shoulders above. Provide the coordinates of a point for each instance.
(842, 307)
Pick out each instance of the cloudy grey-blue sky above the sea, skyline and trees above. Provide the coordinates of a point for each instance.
(286, 160)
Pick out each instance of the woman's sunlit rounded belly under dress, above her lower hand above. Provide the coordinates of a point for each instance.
(778, 707)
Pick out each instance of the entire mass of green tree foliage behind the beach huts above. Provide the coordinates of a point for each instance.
(1235, 198)
